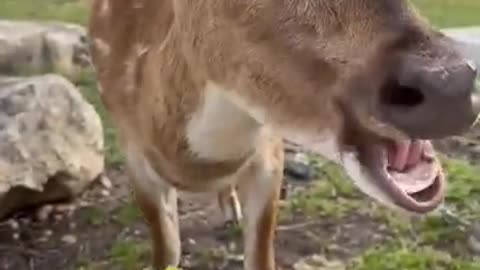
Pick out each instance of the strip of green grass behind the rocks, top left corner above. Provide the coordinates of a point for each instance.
(74, 11)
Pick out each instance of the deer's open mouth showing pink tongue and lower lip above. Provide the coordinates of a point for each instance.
(409, 173)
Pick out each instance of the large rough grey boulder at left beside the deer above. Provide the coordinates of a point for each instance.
(51, 141)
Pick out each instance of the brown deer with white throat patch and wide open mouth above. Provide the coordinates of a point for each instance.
(202, 94)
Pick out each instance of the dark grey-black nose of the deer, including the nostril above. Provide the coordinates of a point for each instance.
(430, 101)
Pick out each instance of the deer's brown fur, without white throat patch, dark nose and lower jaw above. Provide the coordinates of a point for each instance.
(301, 64)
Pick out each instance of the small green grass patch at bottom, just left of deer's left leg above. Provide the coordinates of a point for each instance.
(129, 255)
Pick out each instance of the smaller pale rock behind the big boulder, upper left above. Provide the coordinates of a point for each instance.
(39, 47)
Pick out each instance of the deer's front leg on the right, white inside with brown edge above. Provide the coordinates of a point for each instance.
(259, 194)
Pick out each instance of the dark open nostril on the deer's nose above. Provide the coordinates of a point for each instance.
(394, 94)
